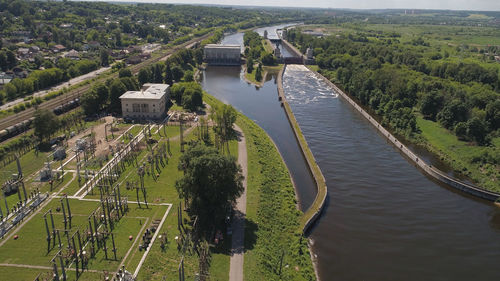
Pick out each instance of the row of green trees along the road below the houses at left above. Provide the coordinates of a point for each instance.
(42, 79)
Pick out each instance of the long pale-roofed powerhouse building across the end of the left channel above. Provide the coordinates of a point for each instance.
(222, 54)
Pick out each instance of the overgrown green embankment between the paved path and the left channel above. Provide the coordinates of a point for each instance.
(273, 223)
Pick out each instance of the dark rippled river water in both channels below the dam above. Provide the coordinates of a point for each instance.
(384, 220)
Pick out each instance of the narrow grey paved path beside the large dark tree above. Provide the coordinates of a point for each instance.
(237, 251)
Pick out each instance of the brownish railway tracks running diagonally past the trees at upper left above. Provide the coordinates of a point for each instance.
(76, 93)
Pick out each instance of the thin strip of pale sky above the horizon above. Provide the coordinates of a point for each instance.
(477, 5)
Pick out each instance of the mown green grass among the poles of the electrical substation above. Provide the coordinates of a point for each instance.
(160, 264)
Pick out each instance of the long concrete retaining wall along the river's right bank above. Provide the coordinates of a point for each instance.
(429, 169)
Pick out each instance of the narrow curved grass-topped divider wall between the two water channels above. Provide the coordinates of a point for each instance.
(317, 206)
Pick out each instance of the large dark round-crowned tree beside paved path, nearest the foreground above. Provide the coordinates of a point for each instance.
(211, 184)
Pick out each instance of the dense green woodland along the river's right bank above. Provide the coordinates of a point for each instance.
(396, 80)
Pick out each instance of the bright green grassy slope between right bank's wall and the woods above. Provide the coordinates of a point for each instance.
(460, 154)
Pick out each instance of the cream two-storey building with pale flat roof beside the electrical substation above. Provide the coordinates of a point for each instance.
(148, 103)
